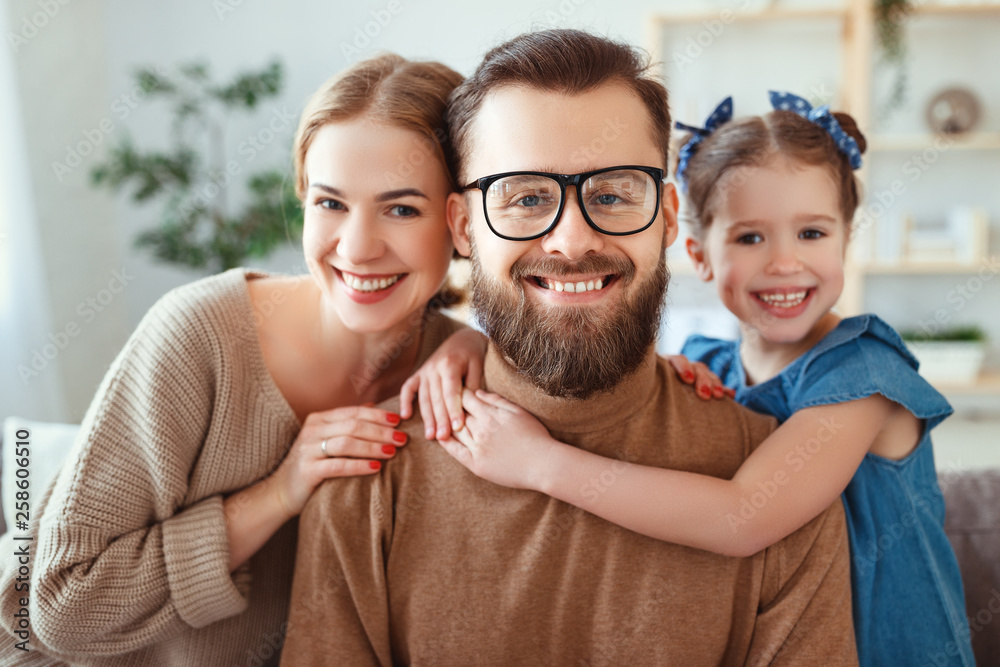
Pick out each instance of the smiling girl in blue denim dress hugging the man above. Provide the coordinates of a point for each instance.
(771, 200)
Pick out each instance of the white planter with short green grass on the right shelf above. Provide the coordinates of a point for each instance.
(948, 356)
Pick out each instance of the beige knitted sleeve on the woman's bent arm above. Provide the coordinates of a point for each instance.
(125, 556)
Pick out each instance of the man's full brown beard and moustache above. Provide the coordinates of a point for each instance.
(571, 351)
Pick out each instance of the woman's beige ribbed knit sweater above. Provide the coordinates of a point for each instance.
(130, 561)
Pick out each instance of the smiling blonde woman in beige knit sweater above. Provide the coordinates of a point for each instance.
(167, 537)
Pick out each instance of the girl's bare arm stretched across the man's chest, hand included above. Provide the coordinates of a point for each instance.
(796, 473)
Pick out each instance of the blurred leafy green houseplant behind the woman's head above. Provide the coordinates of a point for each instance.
(194, 177)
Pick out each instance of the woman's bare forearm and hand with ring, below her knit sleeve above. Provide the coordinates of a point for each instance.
(355, 438)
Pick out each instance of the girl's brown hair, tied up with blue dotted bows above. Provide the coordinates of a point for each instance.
(724, 157)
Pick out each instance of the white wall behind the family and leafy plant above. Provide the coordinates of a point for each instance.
(75, 71)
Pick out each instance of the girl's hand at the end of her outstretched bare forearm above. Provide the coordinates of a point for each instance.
(501, 442)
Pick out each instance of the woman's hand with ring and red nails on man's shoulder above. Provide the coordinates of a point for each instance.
(356, 439)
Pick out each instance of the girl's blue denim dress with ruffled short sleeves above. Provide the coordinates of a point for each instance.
(909, 608)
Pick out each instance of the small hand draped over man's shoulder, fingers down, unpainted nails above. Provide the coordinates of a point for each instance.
(438, 383)
